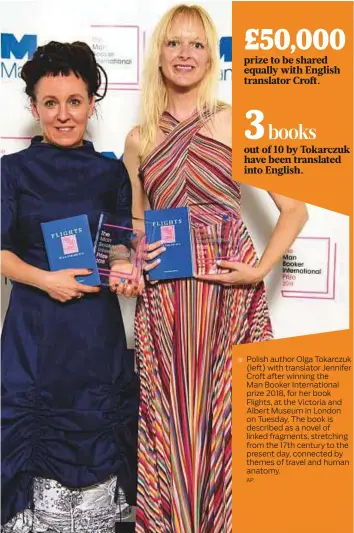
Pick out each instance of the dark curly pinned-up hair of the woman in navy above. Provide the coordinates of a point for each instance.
(62, 58)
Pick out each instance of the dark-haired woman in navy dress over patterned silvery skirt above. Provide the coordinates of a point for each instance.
(69, 390)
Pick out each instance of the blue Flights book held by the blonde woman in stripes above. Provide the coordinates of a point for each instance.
(173, 227)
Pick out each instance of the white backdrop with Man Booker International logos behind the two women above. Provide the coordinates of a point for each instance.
(308, 292)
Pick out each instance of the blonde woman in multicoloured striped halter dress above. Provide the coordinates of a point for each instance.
(181, 156)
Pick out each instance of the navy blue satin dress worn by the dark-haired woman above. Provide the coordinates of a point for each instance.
(69, 391)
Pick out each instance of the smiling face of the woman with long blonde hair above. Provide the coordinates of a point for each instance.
(185, 56)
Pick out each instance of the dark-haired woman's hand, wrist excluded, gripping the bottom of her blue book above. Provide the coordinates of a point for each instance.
(61, 285)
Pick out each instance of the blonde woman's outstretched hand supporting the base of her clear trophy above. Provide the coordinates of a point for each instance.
(241, 274)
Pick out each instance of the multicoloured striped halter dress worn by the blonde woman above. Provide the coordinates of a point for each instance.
(185, 330)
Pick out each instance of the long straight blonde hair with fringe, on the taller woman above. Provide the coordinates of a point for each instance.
(154, 97)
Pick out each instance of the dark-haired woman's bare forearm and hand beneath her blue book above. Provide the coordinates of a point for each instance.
(60, 285)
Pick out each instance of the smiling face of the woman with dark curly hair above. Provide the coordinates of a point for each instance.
(63, 108)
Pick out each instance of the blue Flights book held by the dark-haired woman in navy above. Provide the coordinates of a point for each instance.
(68, 244)
